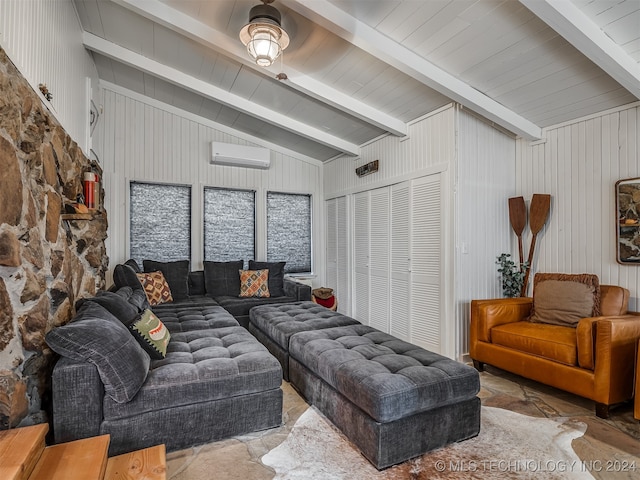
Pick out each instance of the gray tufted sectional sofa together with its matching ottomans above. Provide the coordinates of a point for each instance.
(394, 400)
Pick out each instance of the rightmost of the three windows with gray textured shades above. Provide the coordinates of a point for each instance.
(289, 231)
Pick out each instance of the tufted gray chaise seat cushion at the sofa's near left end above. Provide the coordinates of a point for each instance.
(200, 366)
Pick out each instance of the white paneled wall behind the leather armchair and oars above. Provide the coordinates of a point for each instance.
(579, 163)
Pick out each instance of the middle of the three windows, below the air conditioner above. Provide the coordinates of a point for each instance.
(229, 224)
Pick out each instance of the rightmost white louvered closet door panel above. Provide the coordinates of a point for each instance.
(426, 254)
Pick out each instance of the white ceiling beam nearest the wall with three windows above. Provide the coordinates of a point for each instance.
(176, 77)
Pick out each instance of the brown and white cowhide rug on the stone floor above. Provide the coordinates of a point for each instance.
(510, 445)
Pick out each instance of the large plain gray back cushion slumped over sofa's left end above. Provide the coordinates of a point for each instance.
(96, 336)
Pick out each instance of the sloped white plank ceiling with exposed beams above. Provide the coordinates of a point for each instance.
(358, 69)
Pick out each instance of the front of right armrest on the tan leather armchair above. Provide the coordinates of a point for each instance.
(615, 350)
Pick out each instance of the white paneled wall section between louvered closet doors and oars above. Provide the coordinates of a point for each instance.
(485, 180)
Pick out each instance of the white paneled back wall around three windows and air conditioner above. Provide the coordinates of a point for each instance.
(145, 140)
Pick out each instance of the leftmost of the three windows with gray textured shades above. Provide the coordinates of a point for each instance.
(160, 222)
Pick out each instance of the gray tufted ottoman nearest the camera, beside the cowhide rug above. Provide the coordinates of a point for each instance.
(394, 400)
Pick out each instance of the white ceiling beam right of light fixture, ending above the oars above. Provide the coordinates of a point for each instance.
(363, 36)
